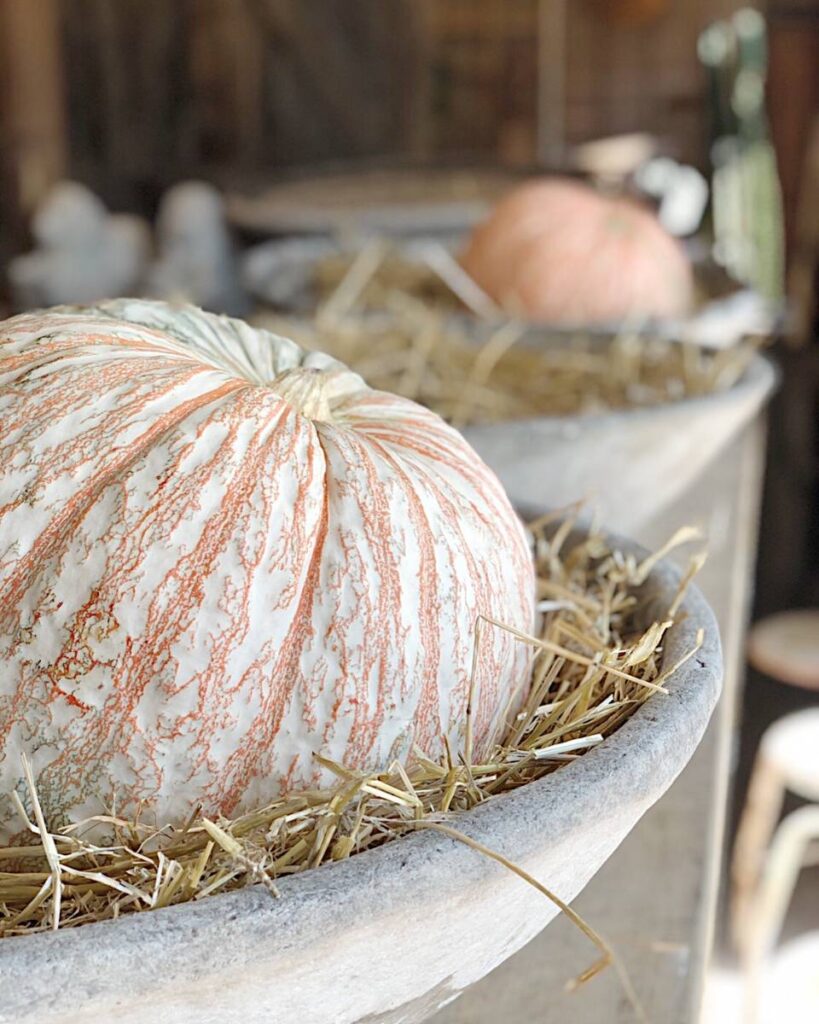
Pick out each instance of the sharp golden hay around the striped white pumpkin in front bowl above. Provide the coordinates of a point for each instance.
(595, 662)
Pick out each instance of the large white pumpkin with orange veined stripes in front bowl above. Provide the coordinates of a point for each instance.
(221, 554)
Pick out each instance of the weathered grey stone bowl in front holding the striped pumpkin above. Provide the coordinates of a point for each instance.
(394, 934)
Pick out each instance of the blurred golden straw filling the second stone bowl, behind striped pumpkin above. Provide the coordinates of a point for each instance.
(417, 353)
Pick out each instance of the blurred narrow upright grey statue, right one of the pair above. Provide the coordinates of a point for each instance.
(196, 262)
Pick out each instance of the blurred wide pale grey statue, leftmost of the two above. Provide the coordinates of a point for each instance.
(82, 253)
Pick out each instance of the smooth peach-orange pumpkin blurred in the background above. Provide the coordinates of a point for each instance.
(556, 251)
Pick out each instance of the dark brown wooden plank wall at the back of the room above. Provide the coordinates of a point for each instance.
(235, 91)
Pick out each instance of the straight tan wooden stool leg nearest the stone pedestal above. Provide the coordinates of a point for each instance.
(763, 805)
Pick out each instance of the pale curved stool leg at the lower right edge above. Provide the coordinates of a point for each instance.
(793, 839)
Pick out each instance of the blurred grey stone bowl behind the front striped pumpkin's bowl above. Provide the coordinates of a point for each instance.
(631, 464)
